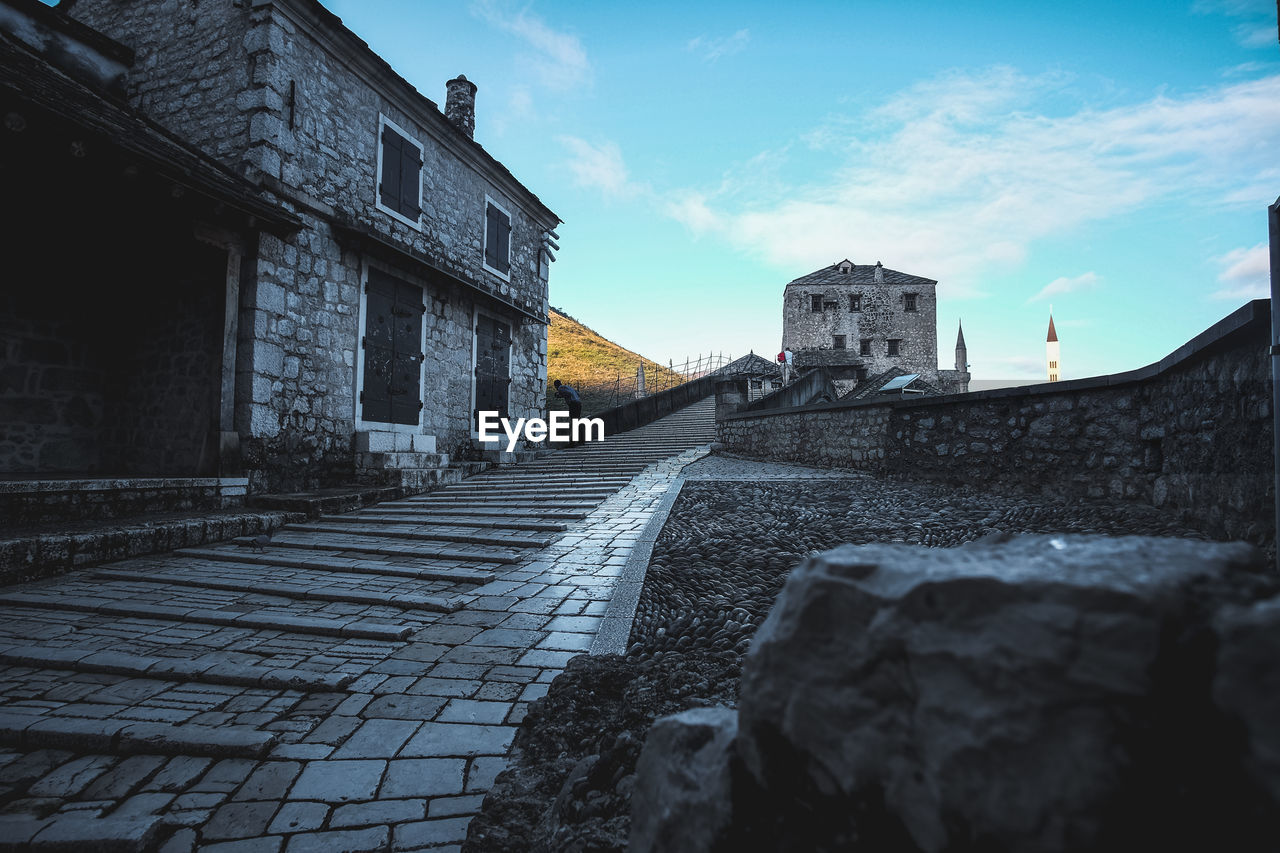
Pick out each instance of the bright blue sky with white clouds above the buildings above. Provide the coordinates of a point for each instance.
(1113, 159)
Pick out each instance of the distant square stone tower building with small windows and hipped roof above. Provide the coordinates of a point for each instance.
(862, 322)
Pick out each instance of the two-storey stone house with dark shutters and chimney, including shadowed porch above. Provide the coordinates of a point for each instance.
(380, 279)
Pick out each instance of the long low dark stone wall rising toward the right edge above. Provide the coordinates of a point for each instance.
(1191, 434)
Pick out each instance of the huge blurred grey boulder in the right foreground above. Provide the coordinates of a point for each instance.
(1045, 694)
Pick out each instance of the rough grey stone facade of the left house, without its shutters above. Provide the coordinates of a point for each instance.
(285, 94)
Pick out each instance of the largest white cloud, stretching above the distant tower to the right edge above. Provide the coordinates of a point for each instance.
(958, 176)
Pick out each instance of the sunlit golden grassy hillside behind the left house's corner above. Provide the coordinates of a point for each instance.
(604, 373)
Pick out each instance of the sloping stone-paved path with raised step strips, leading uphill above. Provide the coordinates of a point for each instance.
(353, 686)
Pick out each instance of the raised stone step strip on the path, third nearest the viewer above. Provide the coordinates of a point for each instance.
(358, 630)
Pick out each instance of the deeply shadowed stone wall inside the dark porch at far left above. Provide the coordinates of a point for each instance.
(112, 359)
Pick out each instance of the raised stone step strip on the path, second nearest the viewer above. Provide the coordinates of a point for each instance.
(170, 669)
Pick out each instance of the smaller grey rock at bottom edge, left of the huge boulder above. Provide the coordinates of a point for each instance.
(683, 802)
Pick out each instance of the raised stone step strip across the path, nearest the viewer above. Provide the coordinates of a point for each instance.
(125, 737)
